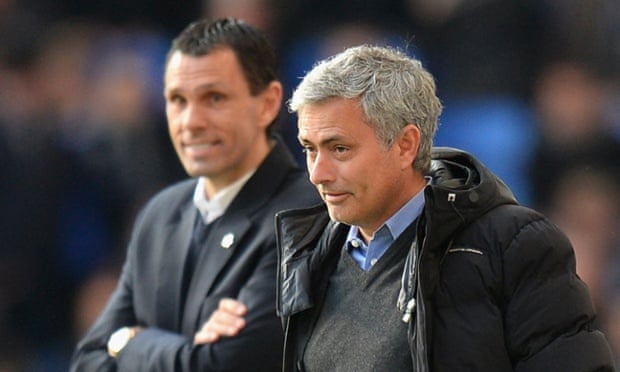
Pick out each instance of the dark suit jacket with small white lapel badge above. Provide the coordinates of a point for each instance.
(239, 262)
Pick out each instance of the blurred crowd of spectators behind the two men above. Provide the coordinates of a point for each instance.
(532, 87)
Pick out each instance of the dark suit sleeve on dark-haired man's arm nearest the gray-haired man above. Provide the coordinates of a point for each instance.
(259, 344)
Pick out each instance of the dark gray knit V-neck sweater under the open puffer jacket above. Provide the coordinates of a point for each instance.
(360, 328)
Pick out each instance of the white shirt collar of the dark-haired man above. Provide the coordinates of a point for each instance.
(210, 209)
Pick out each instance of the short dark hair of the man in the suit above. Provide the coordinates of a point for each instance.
(254, 52)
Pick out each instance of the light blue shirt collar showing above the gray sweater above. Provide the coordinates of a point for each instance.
(367, 256)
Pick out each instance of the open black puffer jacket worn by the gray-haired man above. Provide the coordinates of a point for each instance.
(496, 288)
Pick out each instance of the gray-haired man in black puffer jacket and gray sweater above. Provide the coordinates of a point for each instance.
(420, 258)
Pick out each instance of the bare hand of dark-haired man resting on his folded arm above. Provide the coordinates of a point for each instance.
(227, 320)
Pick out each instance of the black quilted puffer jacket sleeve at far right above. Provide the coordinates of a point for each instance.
(549, 316)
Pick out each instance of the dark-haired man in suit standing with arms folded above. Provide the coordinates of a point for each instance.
(202, 242)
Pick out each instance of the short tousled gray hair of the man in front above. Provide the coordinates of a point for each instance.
(394, 90)
